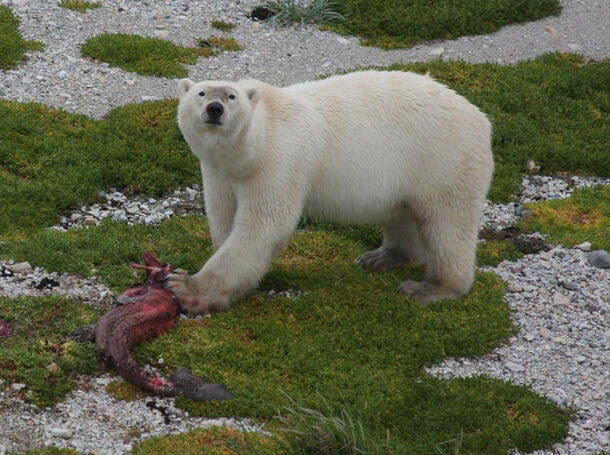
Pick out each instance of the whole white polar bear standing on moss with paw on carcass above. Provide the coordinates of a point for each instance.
(391, 148)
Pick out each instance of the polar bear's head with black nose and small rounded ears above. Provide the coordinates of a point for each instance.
(215, 107)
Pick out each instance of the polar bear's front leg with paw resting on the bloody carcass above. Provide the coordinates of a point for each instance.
(238, 265)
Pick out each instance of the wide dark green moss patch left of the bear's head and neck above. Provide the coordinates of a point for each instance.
(51, 160)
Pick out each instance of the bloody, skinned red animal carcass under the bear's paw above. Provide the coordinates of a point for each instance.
(148, 310)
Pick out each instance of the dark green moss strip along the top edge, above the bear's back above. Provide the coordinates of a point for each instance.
(401, 23)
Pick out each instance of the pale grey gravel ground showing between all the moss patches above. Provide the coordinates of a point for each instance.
(560, 300)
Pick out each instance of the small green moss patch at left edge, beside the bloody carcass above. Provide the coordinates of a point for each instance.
(39, 324)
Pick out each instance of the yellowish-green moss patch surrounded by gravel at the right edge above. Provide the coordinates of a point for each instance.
(584, 217)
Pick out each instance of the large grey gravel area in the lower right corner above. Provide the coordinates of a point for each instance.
(562, 308)
